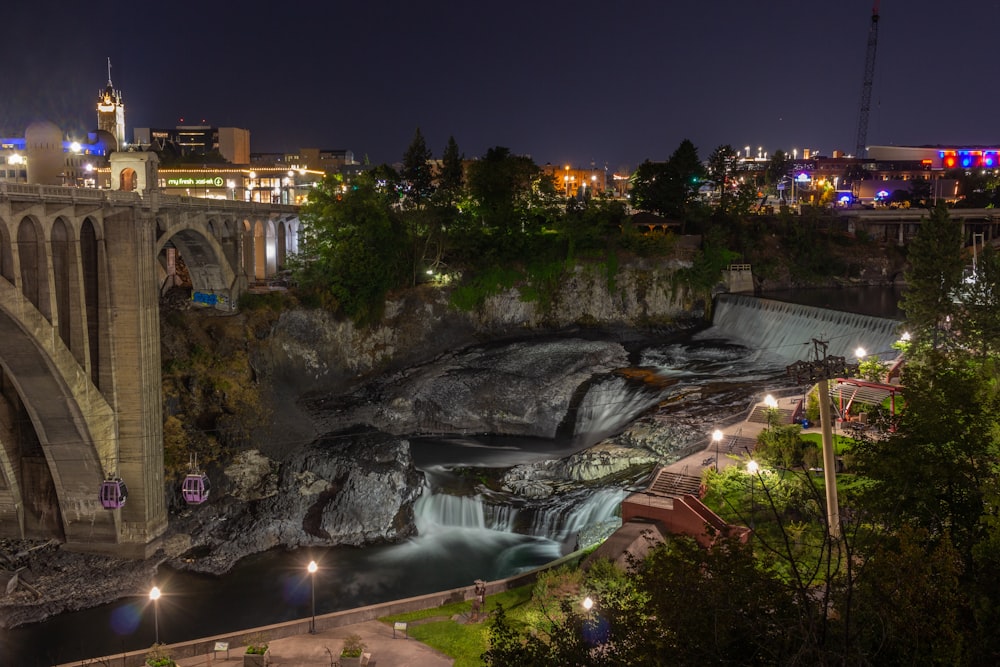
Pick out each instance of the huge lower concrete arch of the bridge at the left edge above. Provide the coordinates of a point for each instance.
(59, 439)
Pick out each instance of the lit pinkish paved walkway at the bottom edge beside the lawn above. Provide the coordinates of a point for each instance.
(323, 649)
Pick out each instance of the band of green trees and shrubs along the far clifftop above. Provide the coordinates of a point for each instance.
(501, 221)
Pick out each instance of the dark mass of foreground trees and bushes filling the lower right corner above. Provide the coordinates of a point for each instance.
(910, 577)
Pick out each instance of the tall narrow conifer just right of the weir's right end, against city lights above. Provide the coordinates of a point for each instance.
(934, 275)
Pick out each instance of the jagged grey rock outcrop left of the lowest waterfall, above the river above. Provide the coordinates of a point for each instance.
(348, 488)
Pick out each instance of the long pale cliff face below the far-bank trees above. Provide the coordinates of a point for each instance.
(316, 352)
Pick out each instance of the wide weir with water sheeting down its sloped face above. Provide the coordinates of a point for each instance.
(784, 331)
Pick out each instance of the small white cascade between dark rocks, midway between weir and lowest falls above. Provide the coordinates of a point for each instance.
(608, 405)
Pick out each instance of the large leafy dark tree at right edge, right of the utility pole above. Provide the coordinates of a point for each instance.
(936, 470)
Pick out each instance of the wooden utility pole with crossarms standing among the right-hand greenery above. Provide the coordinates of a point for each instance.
(821, 371)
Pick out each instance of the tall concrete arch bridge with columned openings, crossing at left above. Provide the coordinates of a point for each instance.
(81, 273)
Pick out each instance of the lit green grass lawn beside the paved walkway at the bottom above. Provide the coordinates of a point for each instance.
(464, 642)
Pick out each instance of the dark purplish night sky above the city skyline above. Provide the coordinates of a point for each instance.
(612, 83)
